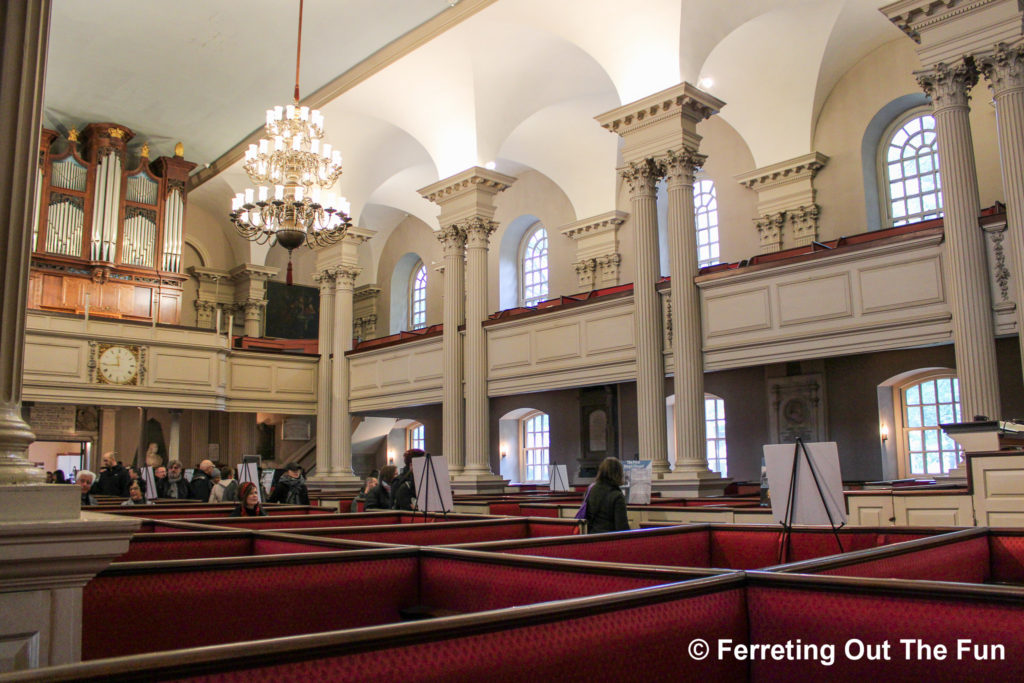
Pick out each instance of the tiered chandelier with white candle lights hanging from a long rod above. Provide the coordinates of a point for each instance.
(302, 173)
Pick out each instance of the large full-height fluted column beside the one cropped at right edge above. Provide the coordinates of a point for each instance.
(964, 260)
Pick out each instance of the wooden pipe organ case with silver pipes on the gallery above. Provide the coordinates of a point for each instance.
(109, 239)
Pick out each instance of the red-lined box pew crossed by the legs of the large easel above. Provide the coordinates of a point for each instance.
(702, 545)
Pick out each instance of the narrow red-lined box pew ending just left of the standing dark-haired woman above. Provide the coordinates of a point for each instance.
(443, 533)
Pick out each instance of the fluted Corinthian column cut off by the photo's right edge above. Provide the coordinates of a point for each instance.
(1005, 71)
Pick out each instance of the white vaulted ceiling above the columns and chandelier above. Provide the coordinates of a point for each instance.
(514, 82)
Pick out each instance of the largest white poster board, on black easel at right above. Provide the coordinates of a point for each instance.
(808, 507)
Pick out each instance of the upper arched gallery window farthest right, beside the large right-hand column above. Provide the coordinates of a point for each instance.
(911, 169)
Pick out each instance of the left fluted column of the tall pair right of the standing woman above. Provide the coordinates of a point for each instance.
(652, 430)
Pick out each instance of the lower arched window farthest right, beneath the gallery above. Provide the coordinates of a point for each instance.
(927, 451)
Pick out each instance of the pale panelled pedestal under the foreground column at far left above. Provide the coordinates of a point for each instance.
(49, 551)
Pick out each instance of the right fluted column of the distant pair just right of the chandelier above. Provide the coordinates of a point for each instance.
(342, 420)
